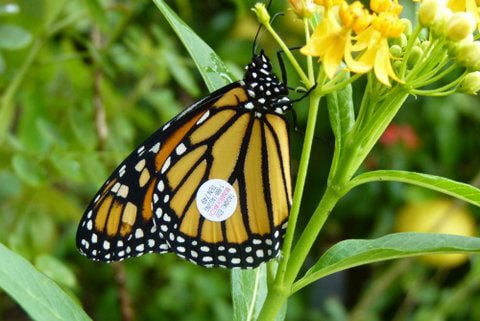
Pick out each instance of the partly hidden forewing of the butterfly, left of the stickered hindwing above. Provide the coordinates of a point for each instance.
(119, 222)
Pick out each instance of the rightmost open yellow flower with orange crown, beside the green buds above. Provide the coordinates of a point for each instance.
(376, 51)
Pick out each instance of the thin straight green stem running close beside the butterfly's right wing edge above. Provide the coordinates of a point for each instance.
(300, 184)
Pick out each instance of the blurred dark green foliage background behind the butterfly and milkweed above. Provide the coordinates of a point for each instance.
(83, 82)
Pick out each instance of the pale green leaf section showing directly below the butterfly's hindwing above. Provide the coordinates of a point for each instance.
(249, 289)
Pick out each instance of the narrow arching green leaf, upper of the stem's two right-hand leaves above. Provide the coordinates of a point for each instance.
(463, 191)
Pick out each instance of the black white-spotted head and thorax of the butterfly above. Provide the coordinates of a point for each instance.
(266, 91)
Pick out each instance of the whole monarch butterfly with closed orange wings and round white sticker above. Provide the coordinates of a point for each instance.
(237, 137)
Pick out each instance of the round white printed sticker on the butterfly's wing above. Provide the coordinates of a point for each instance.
(216, 200)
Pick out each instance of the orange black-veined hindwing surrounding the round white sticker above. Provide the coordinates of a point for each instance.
(252, 154)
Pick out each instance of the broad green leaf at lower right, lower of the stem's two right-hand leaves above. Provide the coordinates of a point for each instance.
(351, 253)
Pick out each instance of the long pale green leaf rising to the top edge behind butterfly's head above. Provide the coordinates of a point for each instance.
(213, 70)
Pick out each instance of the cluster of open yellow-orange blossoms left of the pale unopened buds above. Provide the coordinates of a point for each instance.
(358, 37)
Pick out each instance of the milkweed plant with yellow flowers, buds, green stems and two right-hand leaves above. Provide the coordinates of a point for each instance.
(436, 55)
